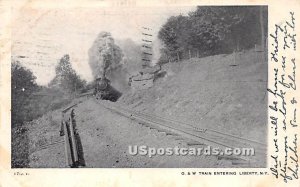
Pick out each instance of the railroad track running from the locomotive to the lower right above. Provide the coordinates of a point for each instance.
(193, 135)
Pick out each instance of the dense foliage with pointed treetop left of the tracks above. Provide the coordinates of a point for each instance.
(29, 101)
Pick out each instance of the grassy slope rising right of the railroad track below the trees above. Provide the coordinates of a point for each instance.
(211, 92)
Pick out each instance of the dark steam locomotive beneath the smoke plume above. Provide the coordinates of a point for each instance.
(104, 91)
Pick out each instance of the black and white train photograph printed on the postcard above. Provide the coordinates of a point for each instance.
(139, 87)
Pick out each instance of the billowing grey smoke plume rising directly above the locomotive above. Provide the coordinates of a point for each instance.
(104, 55)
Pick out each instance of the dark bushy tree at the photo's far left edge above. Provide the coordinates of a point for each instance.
(23, 85)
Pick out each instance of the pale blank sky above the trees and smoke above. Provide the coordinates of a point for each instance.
(43, 36)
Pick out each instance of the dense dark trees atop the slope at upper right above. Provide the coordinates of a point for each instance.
(212, 30)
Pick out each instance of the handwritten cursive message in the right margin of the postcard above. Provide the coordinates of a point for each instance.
(283, 101)
